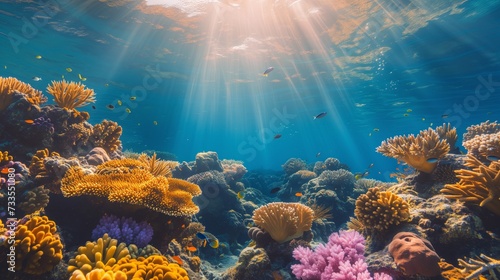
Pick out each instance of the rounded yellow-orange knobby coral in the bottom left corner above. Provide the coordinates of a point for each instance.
(38, 247)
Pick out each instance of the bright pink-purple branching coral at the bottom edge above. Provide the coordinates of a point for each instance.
(340, 259)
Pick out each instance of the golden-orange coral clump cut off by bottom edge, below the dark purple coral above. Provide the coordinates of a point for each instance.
(152, 267)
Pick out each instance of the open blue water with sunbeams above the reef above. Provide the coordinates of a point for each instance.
(378, 68)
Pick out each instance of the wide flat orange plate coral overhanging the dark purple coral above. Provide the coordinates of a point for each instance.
(127, 181)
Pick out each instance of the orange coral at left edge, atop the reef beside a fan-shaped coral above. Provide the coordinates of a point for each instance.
(10, 85)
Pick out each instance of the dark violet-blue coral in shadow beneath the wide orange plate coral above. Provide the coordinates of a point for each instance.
(124, 230)
